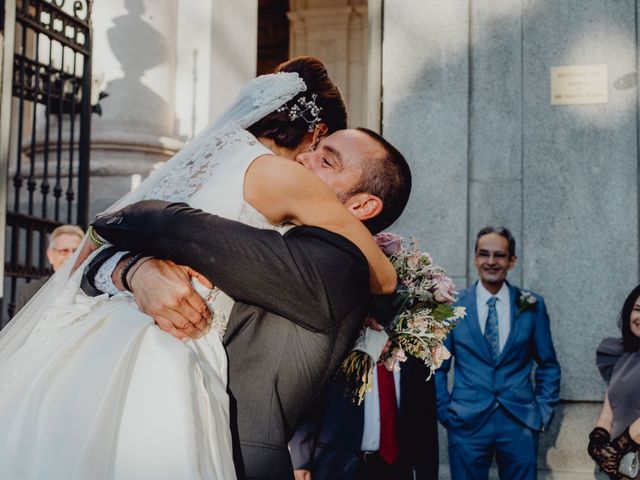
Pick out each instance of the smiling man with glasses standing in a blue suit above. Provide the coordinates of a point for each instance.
(493, 408)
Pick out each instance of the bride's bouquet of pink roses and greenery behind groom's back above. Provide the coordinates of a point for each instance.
(424, 317)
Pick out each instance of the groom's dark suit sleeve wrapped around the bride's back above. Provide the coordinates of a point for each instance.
(310, 276)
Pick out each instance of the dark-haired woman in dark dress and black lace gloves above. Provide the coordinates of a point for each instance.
(619, 362)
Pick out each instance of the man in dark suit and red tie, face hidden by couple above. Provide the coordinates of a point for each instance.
(346, 441)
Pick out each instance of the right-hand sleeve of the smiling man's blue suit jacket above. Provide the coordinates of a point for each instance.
(547, 376)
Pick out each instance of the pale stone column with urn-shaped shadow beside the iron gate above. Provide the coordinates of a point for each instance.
(134, 61)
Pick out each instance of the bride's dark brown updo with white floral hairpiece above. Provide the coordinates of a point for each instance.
(289, 133)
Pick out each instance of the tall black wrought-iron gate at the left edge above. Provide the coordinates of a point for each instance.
(49, 144)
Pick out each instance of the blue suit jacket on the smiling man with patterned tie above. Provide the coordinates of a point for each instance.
(480, 381)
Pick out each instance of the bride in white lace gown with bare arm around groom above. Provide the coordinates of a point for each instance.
(82, 332)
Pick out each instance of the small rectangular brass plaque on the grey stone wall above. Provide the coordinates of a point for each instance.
(579, 84)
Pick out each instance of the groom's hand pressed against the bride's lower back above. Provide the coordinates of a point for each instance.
(163, 291)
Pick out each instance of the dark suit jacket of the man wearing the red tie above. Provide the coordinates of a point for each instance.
(328, 445)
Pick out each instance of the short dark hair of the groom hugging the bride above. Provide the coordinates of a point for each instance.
(388, 178)
